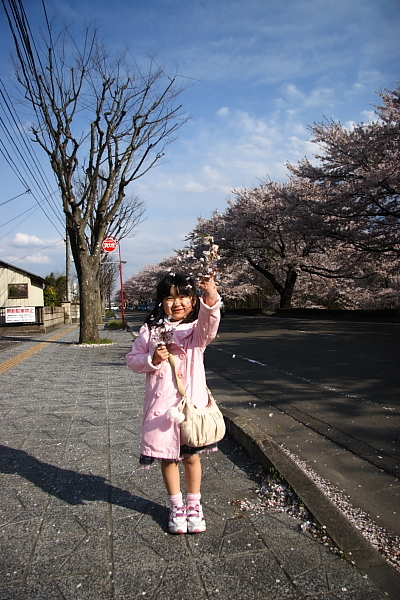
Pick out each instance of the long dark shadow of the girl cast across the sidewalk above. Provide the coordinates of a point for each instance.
(76, 488)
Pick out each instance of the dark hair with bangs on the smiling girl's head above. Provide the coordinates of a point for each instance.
(183, 285)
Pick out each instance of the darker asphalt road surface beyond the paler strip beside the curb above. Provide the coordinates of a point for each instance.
(342, 380)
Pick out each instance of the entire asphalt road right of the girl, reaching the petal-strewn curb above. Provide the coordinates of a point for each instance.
(328, 392)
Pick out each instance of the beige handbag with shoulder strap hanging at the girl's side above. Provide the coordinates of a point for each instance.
(199, 426)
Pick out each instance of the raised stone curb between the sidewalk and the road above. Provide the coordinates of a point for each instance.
(268, 453)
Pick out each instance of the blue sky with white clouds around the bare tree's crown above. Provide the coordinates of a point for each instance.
(262, 71)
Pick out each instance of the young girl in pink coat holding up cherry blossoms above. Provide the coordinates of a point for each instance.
(183, 324)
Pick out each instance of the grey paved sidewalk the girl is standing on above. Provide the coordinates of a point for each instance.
(80, 520)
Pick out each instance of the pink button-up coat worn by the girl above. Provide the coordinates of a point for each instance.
(160, 435)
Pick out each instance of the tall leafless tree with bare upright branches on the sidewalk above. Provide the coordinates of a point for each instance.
(103, 121)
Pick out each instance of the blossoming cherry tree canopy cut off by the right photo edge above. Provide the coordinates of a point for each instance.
(357, 182)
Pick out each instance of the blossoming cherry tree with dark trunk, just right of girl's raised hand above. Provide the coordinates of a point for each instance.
(277, 235)
